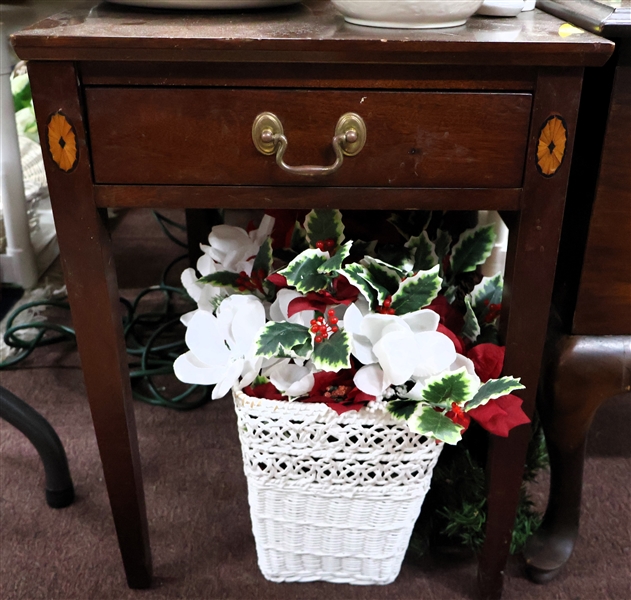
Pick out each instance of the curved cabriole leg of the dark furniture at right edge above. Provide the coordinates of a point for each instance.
(583, 372)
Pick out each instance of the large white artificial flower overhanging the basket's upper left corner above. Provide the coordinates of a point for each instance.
(222, 345)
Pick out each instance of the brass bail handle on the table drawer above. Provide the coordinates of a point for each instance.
(269, 138)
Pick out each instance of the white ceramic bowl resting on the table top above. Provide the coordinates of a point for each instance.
(407, 14)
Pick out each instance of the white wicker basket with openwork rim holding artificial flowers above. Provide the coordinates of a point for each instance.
(332, 497)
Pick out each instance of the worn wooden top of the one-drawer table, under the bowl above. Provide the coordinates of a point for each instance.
(312, 31)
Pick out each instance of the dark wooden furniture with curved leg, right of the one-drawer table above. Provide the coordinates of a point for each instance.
(588, 355)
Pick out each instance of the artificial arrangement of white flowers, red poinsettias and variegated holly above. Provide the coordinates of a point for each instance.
(339, 325)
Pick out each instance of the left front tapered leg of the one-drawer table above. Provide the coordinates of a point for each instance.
(88, 266)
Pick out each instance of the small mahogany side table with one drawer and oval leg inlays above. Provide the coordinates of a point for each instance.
(162, 104)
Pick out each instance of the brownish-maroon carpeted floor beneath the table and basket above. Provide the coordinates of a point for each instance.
(196, 496)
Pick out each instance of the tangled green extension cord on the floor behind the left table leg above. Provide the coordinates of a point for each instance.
(143, 332)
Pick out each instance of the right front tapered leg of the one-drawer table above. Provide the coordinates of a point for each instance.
(533, 246)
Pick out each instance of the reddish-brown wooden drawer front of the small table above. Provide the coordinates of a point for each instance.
(204, 137)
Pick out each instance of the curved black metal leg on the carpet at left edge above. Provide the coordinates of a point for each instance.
(59, 488)
